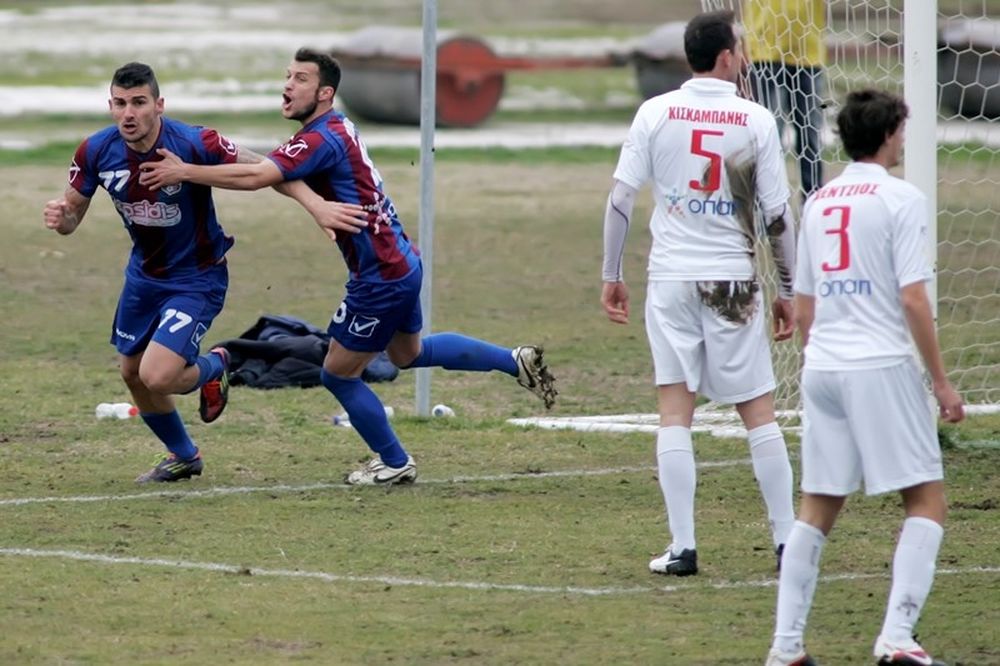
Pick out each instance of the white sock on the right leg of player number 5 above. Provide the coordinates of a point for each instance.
(774, 476)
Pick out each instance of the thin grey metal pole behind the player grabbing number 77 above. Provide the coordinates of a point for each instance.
(428, 117)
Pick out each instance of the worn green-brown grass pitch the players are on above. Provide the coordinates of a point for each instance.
(516, 547)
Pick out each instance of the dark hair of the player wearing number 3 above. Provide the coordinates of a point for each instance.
(867, 119)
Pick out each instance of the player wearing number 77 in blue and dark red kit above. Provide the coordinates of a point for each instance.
(176, 277)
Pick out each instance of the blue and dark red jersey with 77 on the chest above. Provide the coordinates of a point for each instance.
(175, 233)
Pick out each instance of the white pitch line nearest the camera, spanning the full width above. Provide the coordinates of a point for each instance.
(425, 582)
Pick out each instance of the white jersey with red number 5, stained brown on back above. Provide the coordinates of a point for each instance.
(710, 155)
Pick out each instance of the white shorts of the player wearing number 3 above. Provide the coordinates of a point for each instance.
(871, 424)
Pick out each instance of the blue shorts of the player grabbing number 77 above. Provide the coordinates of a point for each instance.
(371, 313)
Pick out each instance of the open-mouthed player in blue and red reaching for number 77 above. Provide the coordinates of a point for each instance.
(381, 309)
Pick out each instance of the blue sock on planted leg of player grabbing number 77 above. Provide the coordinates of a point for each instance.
(367, 416)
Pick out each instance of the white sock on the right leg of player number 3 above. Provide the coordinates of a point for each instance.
(912, 576)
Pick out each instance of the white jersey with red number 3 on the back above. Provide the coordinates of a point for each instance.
(863, 238)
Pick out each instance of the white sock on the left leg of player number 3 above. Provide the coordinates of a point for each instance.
(797, 584)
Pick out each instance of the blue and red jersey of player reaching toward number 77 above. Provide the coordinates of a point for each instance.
(330, 157)
